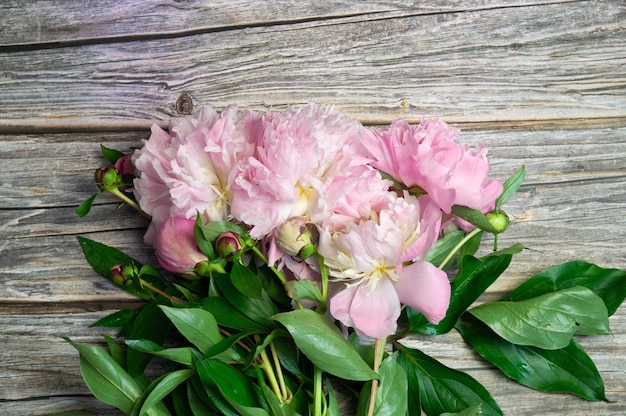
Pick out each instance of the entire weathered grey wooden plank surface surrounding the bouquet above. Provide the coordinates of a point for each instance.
(541, 83)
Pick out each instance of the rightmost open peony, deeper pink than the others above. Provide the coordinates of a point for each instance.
(427, 156)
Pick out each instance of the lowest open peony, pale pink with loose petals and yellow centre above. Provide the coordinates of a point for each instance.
(368, 258)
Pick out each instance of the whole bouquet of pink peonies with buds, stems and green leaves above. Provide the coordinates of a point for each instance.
(298, 248)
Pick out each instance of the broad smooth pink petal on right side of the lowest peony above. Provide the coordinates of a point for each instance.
(425, 288)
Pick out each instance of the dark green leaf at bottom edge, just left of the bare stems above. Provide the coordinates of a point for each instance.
(232, 384)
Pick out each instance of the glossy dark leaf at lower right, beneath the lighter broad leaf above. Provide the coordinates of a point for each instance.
(566, 370)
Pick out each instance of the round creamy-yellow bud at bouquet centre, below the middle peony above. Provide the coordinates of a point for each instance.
(297, 237)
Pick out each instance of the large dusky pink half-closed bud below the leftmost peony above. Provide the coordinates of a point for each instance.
(176, 247)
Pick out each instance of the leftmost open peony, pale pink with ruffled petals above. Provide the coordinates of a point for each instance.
(187, 170)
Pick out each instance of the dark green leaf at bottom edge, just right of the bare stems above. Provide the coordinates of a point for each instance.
(441, 388)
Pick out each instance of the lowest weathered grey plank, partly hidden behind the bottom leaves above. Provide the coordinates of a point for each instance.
(42, 369)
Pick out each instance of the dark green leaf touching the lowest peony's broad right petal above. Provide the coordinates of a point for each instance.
(473, 278)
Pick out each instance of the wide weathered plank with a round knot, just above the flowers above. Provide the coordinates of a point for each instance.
(556, 62)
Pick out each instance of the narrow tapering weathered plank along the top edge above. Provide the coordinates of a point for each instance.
(49, 24)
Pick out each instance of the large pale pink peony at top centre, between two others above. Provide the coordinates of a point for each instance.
(297, 152)
